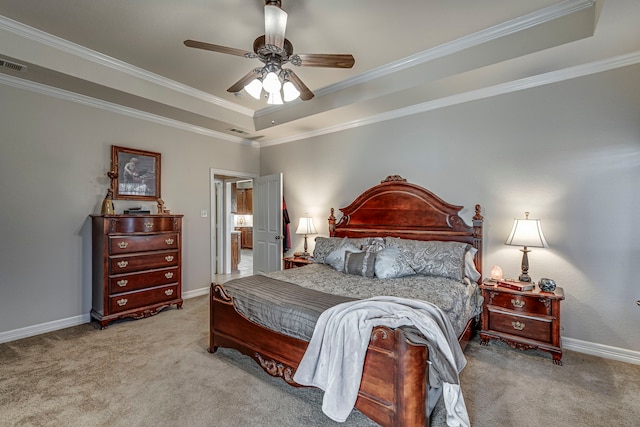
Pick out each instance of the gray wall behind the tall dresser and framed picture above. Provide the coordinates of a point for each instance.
(54, 156)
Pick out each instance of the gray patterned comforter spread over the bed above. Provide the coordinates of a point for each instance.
(290, 301)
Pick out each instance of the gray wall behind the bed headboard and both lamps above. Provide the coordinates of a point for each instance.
(568, 152)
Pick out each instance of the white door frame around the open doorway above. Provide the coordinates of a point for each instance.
(220, 205)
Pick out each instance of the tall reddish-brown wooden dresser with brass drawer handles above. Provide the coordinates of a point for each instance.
(137, 265)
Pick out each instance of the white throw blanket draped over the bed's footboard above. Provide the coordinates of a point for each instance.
(335, 356)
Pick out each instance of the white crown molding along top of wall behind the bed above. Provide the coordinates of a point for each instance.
(473, 95)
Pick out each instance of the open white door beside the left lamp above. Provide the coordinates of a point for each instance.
(267, 223)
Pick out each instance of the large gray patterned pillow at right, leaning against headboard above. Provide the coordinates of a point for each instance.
(433, 258)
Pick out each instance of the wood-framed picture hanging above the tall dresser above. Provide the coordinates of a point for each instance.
(138, 173)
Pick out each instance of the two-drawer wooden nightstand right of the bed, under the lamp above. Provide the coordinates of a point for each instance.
(523, 319)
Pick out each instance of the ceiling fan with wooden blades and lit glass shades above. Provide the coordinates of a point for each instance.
(274, 50)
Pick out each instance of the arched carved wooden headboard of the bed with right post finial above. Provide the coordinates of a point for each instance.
(399, 209)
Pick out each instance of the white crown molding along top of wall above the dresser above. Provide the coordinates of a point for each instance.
(115, 108)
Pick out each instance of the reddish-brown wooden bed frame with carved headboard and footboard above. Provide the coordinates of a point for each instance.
(393, 390)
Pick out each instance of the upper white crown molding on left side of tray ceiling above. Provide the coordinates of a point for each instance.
(56, 42)
